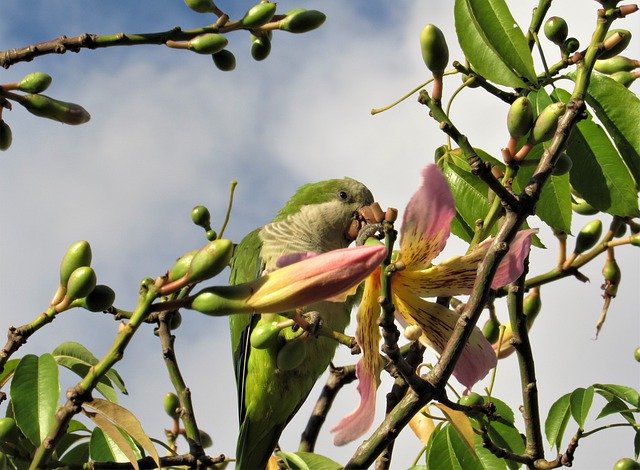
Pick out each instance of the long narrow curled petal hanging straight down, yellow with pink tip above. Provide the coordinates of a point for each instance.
(368, 368)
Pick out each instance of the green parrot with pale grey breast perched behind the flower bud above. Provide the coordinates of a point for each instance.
(274, 381)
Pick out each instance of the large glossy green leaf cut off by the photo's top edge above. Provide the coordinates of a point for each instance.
(493, 42)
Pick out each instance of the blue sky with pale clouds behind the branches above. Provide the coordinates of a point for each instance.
(169, 131)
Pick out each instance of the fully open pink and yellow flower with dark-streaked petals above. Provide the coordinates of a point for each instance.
(423, 235)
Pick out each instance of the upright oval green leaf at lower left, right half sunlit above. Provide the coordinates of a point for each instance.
(34, 396)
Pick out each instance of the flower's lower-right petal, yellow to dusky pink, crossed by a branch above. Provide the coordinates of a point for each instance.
(437, 323)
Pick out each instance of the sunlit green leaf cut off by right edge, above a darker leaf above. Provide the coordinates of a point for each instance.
(618, 108)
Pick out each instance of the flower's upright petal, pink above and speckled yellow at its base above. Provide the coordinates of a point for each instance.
(427, 220)
